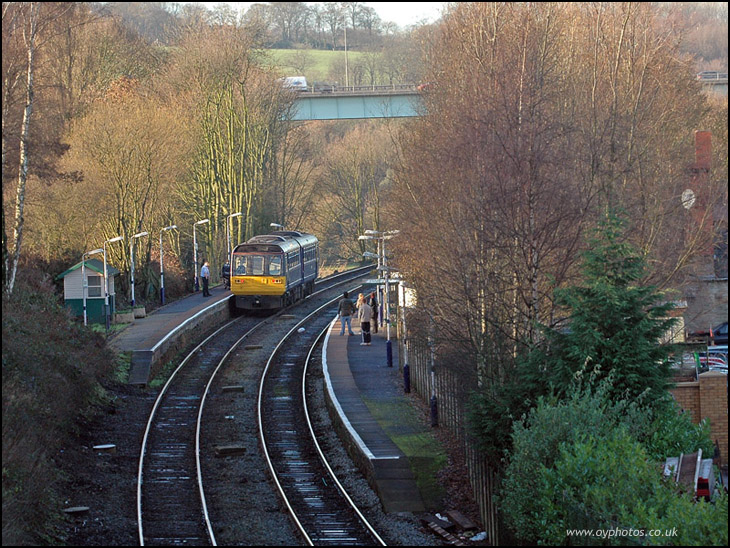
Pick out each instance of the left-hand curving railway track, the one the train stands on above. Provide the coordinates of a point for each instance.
(171, 502)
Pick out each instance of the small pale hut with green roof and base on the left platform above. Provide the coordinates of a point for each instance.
(73, 295)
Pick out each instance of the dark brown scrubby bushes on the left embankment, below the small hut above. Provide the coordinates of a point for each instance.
(52, 369)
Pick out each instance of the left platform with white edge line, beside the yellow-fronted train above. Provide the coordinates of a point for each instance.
(156, 337)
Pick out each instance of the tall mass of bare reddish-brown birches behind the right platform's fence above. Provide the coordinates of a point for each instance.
(542, 118)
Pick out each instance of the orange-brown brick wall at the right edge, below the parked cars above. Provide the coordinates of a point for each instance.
(707, 398)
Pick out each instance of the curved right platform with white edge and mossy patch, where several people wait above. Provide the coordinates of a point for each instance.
(360, 389)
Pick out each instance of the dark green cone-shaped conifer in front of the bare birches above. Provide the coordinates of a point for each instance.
(615, 324)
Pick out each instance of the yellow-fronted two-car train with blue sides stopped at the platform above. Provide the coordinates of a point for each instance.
(272, 271)
